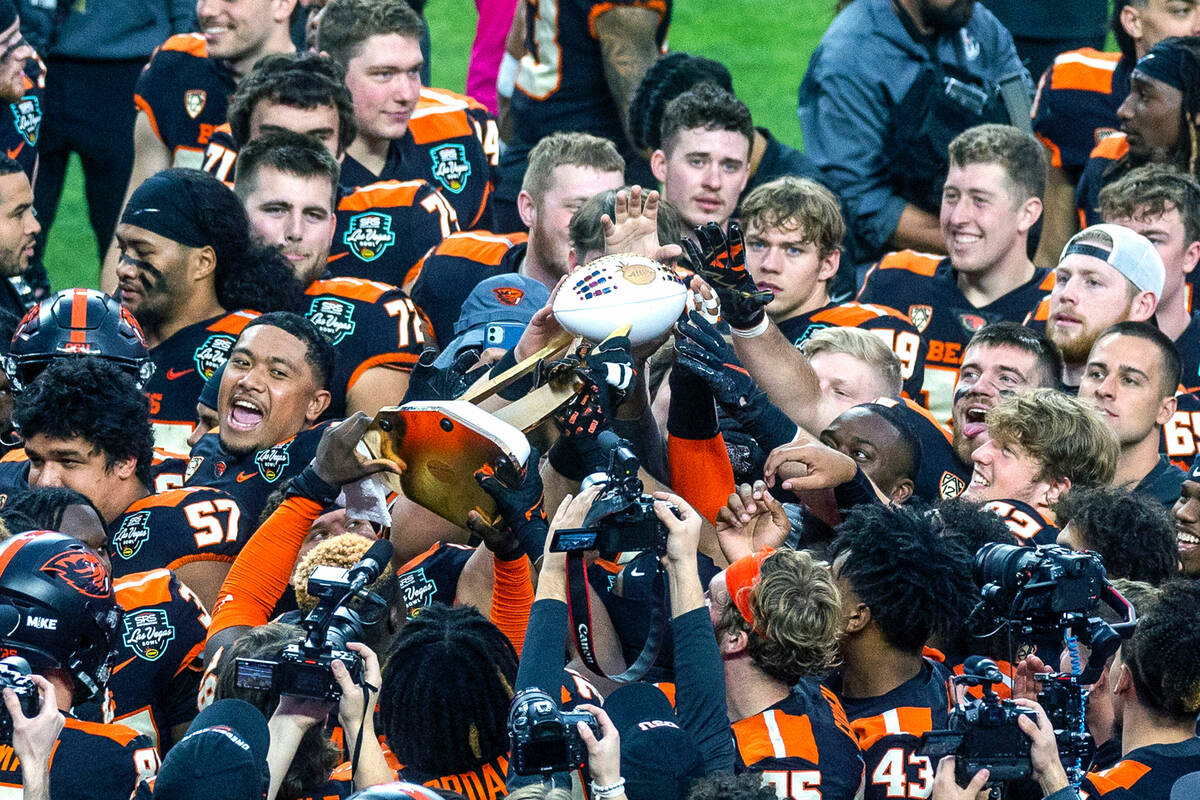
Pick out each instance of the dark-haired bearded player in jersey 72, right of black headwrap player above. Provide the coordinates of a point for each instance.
(289, 183)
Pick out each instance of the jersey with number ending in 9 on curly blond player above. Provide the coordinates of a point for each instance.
(897, 332)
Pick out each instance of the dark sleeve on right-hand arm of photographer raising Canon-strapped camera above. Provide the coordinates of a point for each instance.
(700, 690)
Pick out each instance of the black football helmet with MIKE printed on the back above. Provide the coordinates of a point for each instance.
(58, 610)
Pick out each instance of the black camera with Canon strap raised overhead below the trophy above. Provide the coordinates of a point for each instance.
(622, 519)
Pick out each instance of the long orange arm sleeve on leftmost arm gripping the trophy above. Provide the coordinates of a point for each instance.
(260, 576)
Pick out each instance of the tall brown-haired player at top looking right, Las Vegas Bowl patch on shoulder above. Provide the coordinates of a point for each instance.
(443, 139)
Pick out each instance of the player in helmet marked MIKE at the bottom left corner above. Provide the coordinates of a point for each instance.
(65, 623)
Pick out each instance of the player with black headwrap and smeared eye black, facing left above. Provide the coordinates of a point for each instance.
(190, 273)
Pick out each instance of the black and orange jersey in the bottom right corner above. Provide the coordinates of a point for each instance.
(1147, 773)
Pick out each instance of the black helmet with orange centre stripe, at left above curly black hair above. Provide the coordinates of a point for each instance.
(77, 322)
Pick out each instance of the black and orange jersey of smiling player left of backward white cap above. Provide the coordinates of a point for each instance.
(926, 288)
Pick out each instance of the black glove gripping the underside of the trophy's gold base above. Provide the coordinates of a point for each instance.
(523, 507)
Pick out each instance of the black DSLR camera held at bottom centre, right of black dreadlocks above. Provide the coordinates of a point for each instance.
(543, 738)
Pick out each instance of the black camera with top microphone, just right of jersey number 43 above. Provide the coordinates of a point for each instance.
(983, 733)
